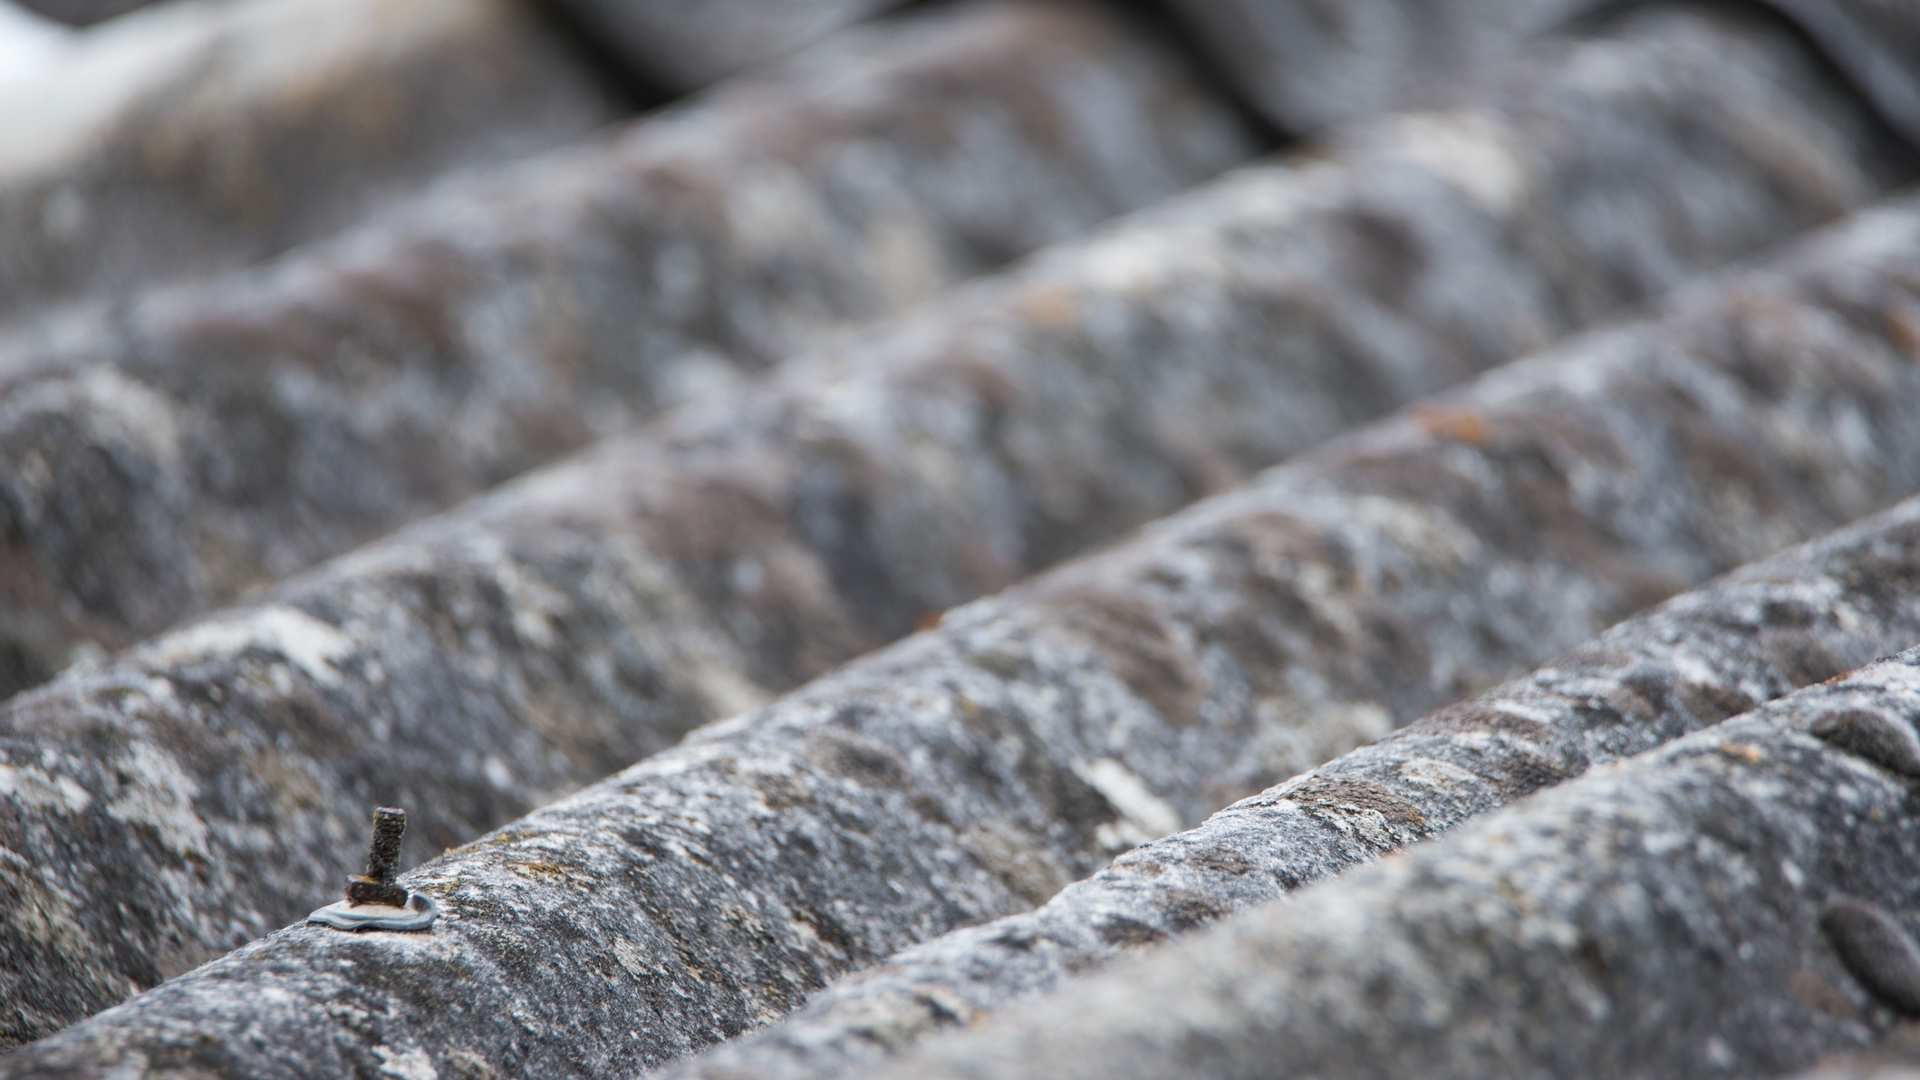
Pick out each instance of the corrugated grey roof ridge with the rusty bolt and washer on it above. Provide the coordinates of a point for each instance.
(976, 770)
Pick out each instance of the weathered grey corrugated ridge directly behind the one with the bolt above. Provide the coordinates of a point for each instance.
(502, 656)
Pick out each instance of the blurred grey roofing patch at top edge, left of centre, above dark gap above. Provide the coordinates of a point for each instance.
(684, 47)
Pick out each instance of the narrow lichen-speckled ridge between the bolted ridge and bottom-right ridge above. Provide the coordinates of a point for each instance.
(1694, 662)
